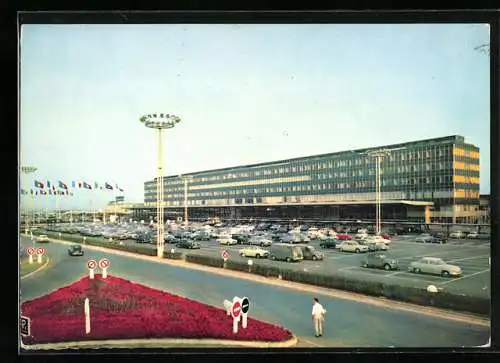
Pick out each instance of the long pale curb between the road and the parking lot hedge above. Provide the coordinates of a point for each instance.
(340, 294)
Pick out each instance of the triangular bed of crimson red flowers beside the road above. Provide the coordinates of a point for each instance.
(121, 309)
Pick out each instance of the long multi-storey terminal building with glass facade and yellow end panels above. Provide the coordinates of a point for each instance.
(427, 180)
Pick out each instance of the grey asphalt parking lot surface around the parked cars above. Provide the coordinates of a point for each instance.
(471, 255)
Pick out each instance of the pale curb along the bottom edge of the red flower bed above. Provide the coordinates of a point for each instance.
(158, 343)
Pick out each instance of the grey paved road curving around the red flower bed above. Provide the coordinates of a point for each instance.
(348, 324)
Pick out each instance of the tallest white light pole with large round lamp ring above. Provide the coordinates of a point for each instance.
(159, 122)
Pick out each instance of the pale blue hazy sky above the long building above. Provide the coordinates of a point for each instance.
(245, 94)
